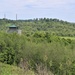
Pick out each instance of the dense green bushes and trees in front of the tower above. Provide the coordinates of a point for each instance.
(37, 51)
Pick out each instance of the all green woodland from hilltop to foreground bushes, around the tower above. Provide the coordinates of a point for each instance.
(40, 47)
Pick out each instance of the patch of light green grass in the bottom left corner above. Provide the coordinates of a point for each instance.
(13, 70)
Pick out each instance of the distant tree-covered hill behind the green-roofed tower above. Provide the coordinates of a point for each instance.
(52, 26)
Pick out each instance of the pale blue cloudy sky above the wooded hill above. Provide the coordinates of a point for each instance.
(30, 9)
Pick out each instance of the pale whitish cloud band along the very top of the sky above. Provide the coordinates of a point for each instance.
(16, 4)
